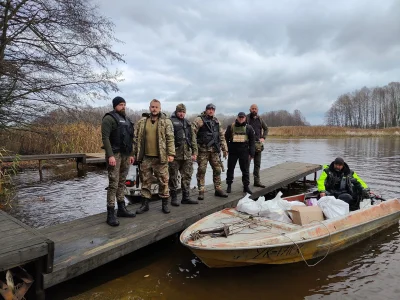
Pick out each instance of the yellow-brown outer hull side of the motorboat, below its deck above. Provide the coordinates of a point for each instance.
(296, 251)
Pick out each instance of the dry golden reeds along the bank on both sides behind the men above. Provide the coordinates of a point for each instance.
(86, 138)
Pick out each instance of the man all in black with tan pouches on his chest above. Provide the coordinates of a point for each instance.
(240, 138)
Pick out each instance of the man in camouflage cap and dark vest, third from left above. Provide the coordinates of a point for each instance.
(186, 153)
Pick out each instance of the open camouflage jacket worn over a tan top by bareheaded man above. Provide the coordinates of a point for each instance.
(165, 138)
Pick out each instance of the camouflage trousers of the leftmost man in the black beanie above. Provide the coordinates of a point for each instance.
(116, 179)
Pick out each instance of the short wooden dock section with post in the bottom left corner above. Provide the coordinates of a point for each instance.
(20, 245)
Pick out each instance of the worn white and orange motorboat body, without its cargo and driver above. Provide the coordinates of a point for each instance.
(229, 238)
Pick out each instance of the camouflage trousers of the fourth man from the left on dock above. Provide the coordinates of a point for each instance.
(202, 159)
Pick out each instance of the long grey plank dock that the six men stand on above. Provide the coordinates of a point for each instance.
(87, 243)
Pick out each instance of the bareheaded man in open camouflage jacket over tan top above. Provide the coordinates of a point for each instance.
(154, 148)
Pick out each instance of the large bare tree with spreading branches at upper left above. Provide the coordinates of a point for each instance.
(53, 53)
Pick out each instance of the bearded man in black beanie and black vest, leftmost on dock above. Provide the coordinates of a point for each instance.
(117, 137)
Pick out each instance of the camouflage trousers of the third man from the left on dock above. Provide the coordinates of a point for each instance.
(185, 167)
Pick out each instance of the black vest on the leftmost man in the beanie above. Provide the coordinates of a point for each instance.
(121, 138)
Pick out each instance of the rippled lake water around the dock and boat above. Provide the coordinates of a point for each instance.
(167, 270)
